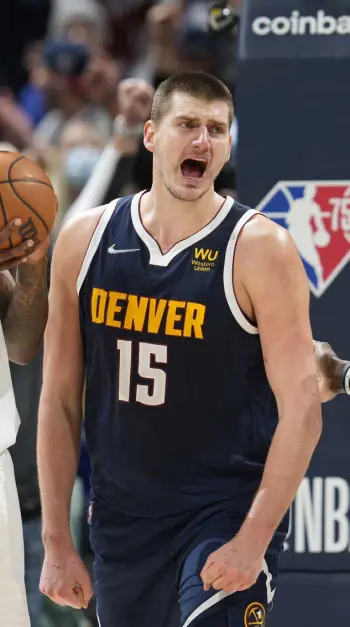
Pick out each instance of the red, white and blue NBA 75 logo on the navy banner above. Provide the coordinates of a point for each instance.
(317, 215)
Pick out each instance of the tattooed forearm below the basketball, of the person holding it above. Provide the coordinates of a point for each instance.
(26, 316)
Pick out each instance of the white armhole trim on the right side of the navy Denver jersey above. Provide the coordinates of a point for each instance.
(228, 275)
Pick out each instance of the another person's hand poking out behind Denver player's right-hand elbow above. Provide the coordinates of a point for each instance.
(329, 370)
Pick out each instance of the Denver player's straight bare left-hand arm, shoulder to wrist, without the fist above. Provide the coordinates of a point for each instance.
(60, 410)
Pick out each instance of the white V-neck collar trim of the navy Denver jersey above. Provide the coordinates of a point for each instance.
(157, 258)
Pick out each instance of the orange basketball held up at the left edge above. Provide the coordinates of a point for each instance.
(26, 192)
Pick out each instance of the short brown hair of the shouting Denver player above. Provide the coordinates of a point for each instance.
(197, 84)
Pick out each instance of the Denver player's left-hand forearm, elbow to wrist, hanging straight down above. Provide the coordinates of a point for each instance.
(58, 452)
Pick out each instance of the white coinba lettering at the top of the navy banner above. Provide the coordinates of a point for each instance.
(320, 24)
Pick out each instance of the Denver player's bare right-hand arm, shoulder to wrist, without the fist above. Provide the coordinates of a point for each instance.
(273, 277)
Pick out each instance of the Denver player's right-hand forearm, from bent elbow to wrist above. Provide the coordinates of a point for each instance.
(291, 450)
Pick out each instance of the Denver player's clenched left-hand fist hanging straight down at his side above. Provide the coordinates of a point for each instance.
(65, 579)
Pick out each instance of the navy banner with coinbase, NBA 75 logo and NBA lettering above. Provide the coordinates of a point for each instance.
(293, 155)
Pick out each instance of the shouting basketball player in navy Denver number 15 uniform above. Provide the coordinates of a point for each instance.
(187, 316)
